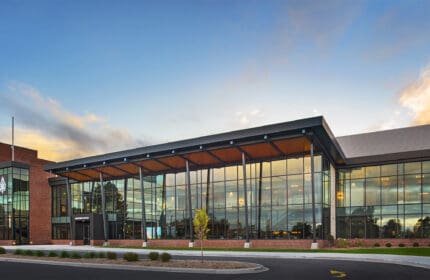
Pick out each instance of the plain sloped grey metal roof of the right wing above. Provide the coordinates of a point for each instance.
(388, 145)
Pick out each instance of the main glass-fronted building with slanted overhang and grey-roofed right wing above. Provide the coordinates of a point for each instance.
(302, 184)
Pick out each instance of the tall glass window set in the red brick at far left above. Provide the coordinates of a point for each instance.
(14, 204)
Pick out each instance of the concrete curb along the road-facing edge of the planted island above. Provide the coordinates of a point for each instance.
(257, 269)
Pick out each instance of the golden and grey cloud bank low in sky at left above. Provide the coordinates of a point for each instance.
(58, 134)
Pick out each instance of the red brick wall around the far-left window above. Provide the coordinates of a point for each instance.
(40, 192)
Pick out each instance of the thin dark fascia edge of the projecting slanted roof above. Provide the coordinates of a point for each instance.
(211, 141)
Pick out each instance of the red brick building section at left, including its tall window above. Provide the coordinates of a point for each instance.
(25, 211)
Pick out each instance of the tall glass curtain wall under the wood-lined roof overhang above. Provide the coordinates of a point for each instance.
(278, 192)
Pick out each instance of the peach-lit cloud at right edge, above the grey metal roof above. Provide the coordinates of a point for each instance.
(416, 98)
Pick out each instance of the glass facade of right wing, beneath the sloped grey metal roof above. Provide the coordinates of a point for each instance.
(384, 201)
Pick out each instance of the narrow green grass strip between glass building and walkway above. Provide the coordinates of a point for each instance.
(392, 251)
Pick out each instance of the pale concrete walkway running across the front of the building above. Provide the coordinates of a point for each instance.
(416, 261)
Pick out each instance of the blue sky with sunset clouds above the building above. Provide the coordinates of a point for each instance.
(88, 77)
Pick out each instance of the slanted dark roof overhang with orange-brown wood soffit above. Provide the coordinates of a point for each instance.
(261, 143)
